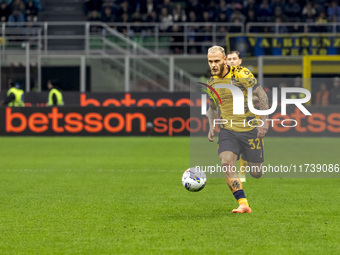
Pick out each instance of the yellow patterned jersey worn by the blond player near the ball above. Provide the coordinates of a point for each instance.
(242, 78)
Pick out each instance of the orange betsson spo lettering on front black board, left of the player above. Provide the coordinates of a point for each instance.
(92, 122)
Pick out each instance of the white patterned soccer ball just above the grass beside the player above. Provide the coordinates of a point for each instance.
(194, 179)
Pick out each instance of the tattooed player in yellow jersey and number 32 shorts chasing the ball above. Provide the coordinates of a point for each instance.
(236, 138)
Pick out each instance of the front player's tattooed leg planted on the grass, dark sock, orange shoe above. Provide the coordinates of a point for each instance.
(228, 160)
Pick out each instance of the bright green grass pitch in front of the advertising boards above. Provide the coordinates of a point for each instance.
(124, 196)
